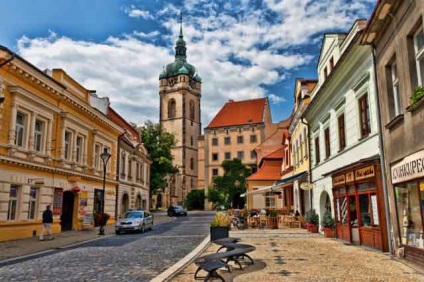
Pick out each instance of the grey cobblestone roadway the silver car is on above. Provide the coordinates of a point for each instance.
(129, 257)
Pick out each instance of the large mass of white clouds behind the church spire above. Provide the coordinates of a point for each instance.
(237, 47)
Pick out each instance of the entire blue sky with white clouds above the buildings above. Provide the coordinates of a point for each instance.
(242, 49)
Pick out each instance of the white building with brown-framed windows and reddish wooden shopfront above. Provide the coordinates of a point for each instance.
(344, 140)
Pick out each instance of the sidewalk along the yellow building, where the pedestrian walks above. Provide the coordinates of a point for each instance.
(12, 249)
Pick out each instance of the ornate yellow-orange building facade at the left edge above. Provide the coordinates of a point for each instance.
(50, 146)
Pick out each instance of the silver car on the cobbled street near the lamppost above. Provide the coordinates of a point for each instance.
(134, 221)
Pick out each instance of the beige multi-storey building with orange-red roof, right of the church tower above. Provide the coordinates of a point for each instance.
(235, 132)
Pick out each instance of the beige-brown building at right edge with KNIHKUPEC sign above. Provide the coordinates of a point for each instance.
(396, 33)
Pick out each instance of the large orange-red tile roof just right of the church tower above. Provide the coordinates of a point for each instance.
(238, 113)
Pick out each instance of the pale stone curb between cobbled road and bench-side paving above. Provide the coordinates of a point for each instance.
(171, 272)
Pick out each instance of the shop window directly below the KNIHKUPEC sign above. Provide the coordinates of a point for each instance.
(409, 204)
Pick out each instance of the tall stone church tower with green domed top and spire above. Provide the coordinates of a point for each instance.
(180, 93)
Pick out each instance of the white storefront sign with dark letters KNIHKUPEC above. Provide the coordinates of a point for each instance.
(409, 168)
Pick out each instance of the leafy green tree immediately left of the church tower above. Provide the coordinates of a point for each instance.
(158, 143)
